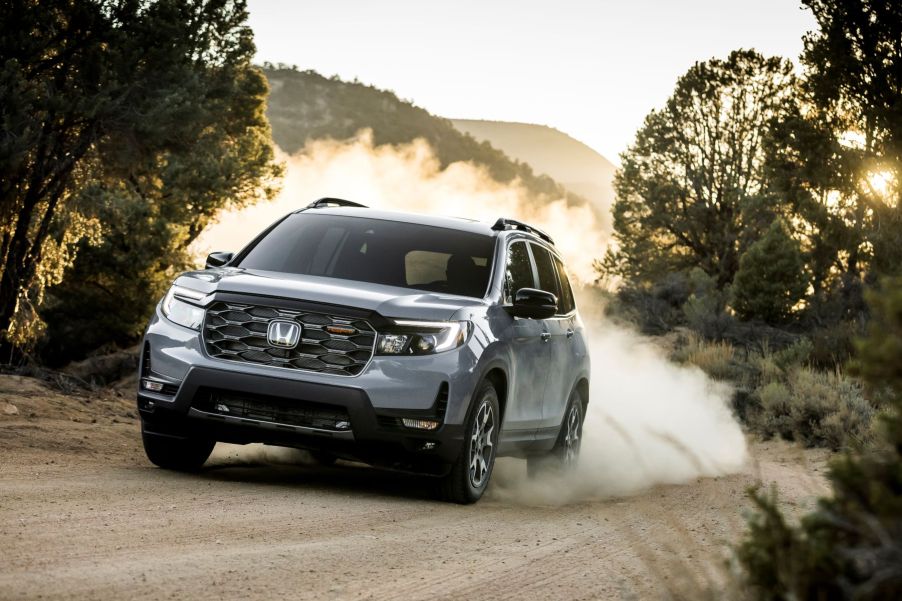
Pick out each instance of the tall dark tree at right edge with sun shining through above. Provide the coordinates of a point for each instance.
(837, 155)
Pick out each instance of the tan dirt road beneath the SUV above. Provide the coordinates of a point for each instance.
(84, 516)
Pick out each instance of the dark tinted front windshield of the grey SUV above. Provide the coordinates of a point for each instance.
(393, 253)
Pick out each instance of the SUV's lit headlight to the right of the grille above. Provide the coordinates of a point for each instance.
(422, 337)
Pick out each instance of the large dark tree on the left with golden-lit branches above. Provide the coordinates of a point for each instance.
(96, 112)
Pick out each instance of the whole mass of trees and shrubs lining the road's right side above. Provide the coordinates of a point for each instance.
(758, 229)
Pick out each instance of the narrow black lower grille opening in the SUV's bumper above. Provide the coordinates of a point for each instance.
(273, 410)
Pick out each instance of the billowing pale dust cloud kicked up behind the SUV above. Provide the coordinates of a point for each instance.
(649, 421)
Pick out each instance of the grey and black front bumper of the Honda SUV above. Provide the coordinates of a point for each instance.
(428, 387)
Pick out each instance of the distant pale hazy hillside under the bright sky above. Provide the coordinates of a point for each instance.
(570, 162)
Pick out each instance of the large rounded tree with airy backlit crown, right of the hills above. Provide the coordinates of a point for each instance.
(693, 191)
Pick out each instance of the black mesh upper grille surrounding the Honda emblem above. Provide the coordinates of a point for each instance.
(237, 332)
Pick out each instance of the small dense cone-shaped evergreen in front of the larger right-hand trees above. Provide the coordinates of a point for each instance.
(771, 279)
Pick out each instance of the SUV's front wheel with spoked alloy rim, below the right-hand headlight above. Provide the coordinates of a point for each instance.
(470, 473)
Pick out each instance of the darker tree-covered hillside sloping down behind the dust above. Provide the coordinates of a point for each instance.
(304, 105)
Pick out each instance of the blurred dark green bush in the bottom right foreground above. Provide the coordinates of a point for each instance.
(850, 547)
